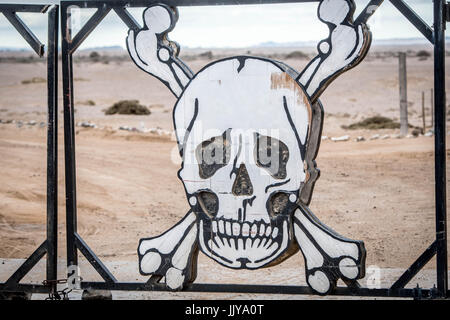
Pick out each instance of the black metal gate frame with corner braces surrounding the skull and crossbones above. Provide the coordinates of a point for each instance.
(75, 242)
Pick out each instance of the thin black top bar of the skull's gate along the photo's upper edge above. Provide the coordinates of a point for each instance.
(175, 3)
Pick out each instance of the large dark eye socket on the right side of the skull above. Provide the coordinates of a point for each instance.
(272, 155)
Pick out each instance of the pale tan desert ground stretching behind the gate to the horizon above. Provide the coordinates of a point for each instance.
(380, 191)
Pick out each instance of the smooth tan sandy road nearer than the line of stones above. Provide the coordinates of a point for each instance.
(377, 191)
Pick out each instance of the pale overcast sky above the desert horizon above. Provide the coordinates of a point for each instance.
(231, 26)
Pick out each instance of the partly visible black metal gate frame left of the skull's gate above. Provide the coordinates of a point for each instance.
(50, 245)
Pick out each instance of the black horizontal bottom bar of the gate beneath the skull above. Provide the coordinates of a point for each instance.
(259, 289)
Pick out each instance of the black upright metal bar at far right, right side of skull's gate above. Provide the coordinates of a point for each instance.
(439, 145)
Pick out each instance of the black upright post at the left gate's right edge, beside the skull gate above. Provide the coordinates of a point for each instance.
(52, 147)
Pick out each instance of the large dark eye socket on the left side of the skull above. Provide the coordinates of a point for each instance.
(213, 154)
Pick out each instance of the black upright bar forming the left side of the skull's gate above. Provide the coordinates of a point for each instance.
(69, 139)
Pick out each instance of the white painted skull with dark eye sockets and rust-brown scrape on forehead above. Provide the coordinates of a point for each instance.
(229, 112)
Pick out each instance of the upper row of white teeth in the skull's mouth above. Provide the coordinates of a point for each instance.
(243, 229)
